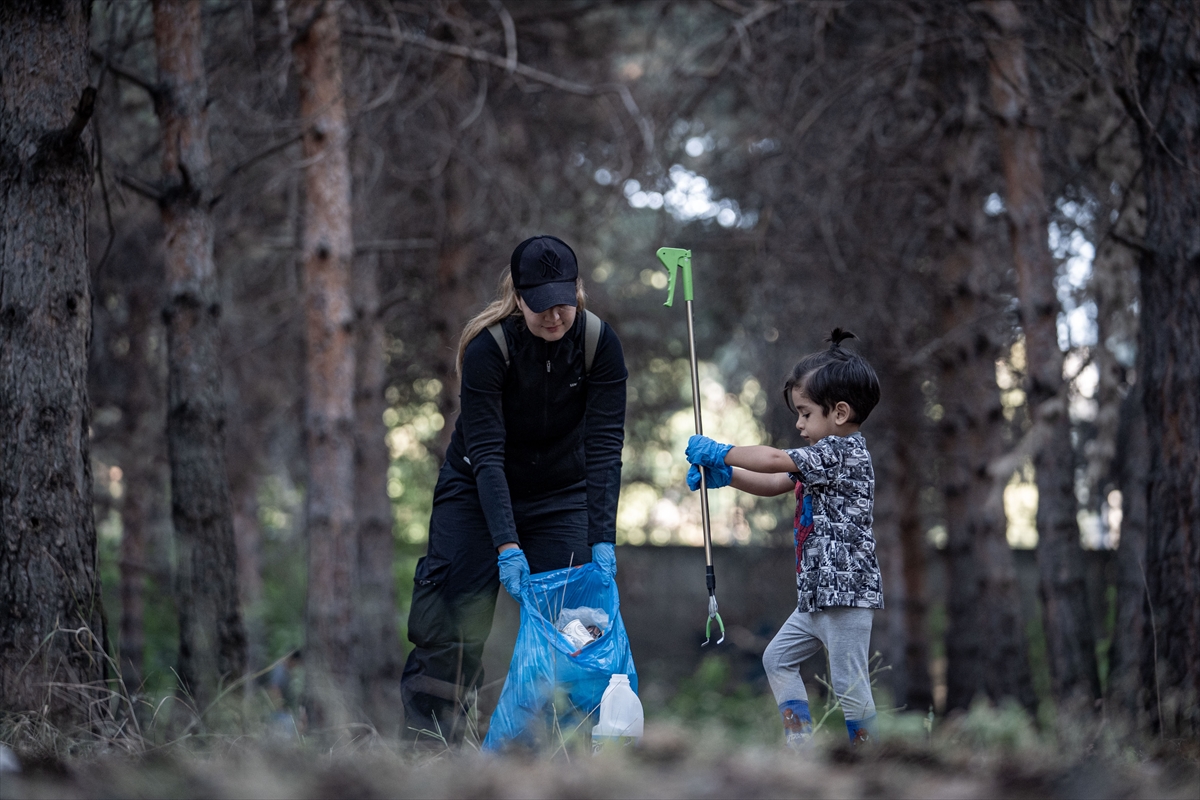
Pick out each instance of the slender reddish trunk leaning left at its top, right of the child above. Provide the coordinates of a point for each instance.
(1070, 635)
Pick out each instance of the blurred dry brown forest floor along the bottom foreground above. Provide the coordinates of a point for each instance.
(980, 755)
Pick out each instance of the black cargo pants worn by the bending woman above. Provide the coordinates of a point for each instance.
(454, 592)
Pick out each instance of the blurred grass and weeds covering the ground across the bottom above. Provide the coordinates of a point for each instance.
(715, 738)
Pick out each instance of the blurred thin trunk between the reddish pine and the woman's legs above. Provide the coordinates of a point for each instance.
(380, 654)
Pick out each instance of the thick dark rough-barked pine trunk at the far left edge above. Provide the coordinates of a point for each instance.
(52, 628)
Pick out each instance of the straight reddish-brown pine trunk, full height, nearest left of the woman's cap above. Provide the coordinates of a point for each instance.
(329, 326)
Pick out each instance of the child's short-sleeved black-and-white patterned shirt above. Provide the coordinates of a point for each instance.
(836, 561)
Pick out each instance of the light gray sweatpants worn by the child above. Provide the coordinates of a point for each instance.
(847, 634)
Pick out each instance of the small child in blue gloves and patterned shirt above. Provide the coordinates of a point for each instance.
(838, 578)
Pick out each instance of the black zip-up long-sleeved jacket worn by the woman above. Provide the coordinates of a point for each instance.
(539, 425)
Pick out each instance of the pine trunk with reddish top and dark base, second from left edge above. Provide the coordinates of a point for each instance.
(213, 640)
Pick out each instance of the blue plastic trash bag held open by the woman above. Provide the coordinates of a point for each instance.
(548, 672)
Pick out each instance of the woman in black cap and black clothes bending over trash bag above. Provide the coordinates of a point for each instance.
(531, 478)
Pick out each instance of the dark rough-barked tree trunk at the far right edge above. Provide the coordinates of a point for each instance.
(1169, 352)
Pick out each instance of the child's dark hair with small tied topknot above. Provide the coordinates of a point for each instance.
(833, 376)
